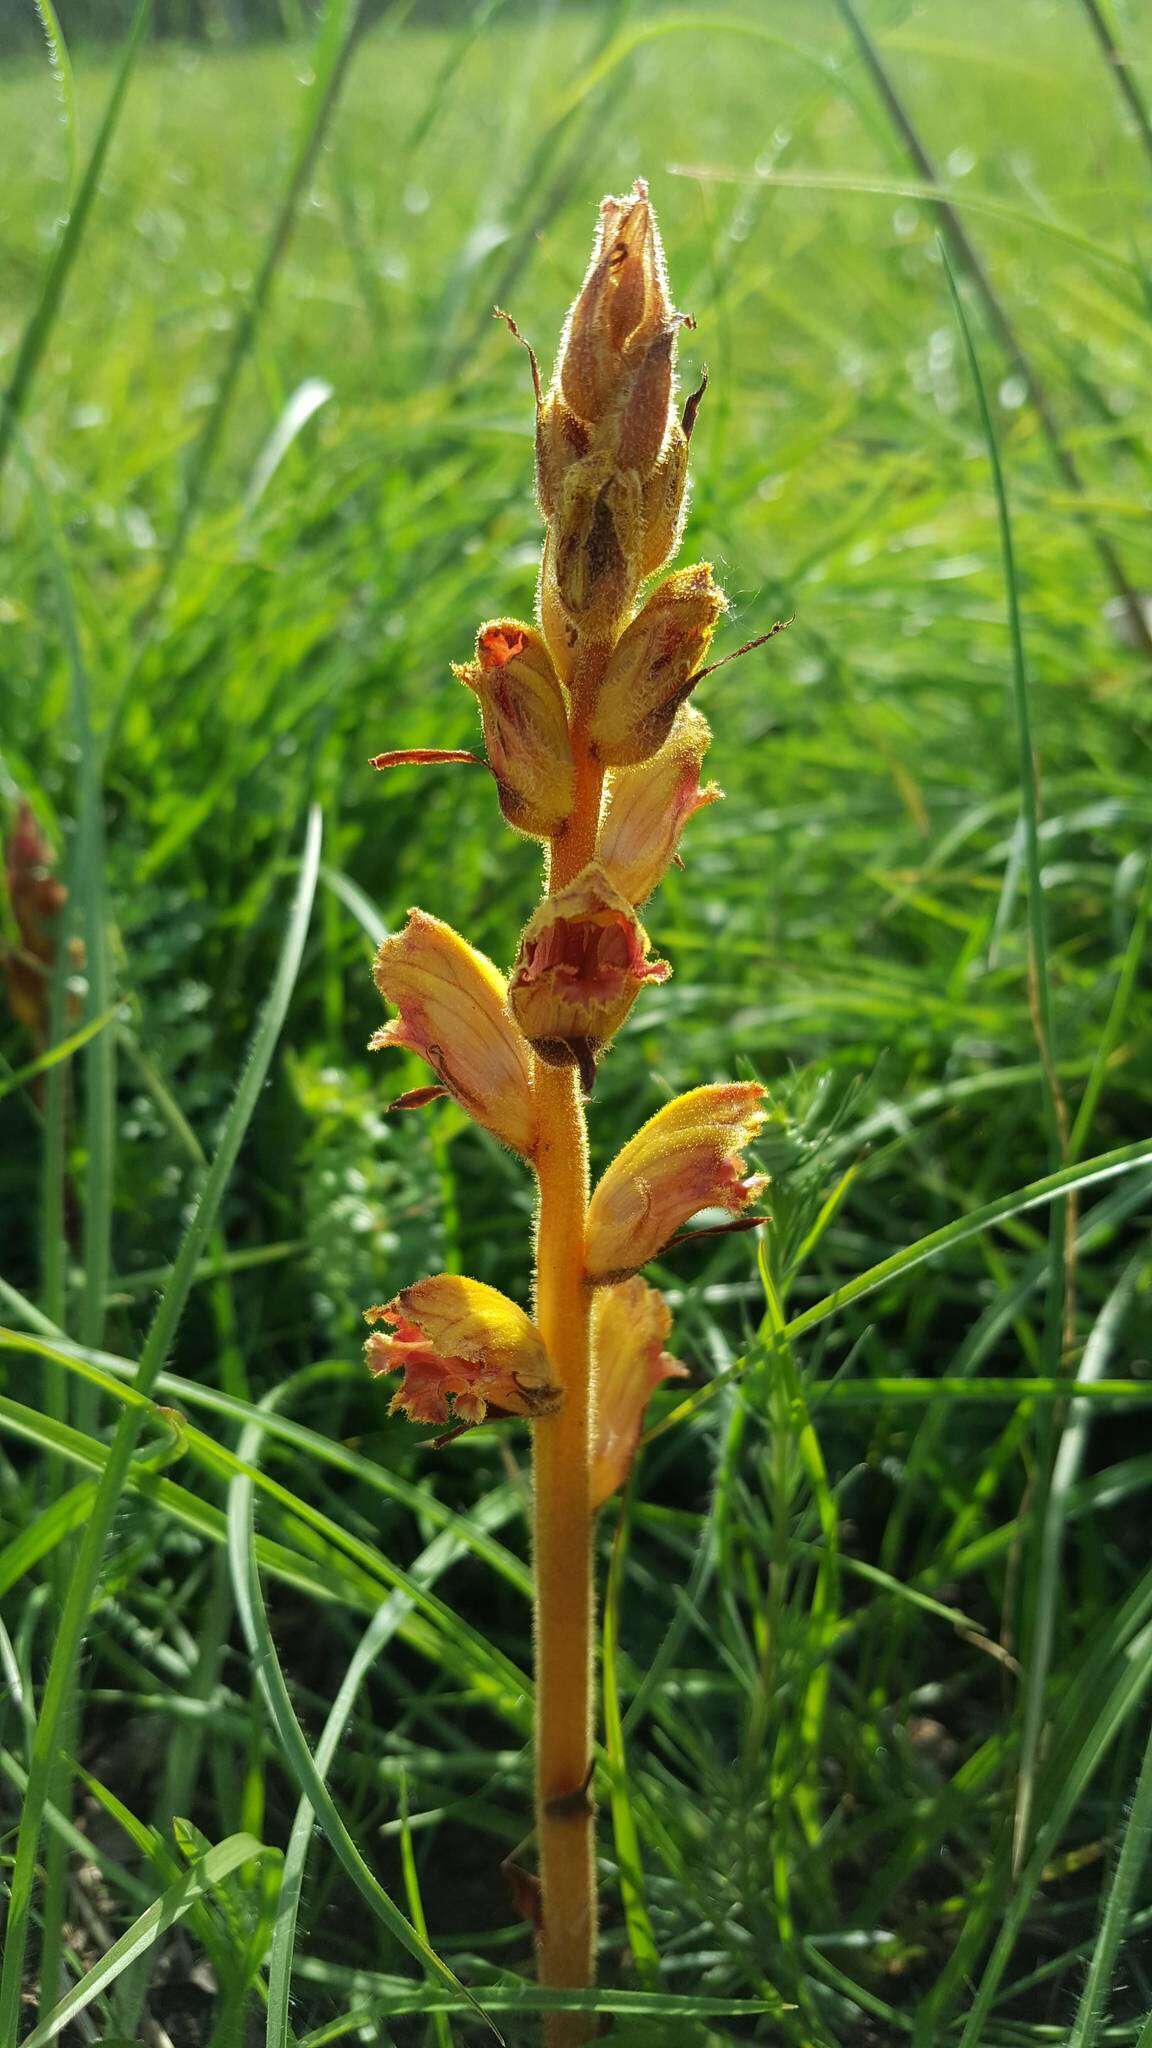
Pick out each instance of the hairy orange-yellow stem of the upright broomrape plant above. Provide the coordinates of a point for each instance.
(563, 1449)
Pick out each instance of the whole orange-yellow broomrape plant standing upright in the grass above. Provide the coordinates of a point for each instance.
(595, 751)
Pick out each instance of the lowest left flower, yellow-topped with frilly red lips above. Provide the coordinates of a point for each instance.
(464, 1342)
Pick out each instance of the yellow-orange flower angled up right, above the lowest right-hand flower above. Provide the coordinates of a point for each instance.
(686, 1158)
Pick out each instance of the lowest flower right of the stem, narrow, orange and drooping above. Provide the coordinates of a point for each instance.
(630, 1326)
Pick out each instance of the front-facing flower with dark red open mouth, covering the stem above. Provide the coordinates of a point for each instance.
(581, 968)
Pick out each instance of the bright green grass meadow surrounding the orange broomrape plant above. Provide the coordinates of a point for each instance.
(878, 1639)
